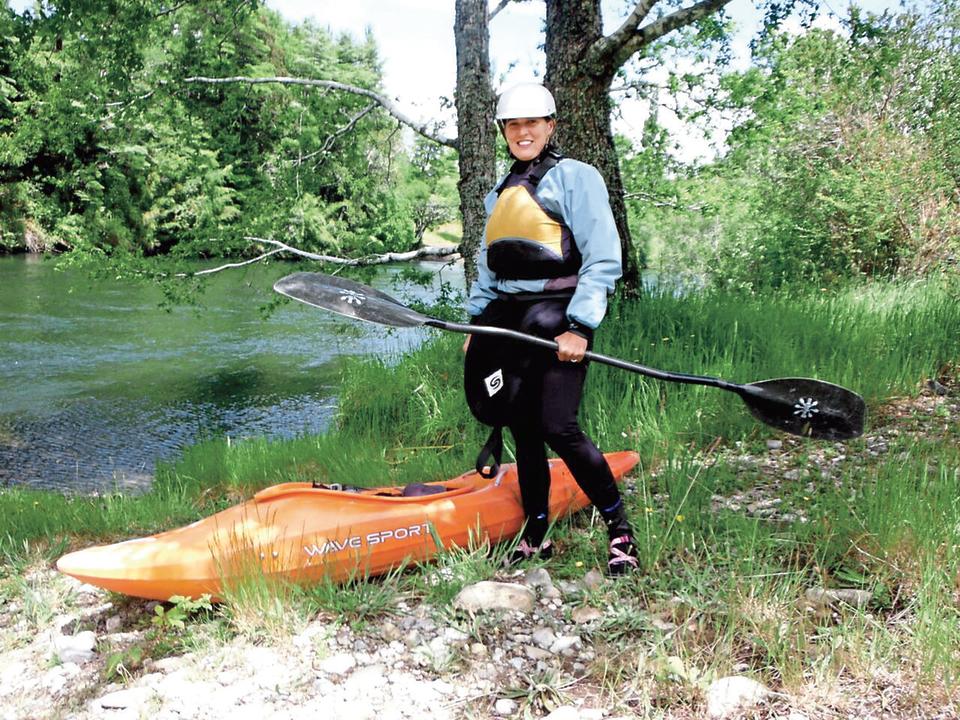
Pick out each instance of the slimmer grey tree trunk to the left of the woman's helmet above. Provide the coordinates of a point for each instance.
(476, 131)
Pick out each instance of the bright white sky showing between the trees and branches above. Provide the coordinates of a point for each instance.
(415, 40)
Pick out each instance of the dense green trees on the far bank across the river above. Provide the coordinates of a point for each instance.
(106, 151)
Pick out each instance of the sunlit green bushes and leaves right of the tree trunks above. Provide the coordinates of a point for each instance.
(843, 162)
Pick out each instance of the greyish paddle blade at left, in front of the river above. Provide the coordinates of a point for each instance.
(348, 298)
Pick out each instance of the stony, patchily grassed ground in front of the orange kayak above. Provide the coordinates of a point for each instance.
(871, 632)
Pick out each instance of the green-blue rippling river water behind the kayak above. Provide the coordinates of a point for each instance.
(98, 382)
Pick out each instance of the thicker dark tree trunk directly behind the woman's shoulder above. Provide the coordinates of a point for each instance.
(583, 108)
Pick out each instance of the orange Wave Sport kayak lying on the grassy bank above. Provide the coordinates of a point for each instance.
(301, 533)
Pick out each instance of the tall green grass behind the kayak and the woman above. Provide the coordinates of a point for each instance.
(405, 419)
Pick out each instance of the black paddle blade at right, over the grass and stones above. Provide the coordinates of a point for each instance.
(811, 408)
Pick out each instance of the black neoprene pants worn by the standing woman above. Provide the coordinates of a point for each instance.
(547, 416)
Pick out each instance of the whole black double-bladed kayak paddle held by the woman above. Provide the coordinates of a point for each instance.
(801, 406)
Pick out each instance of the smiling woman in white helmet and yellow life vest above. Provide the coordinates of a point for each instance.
(550, 258)
